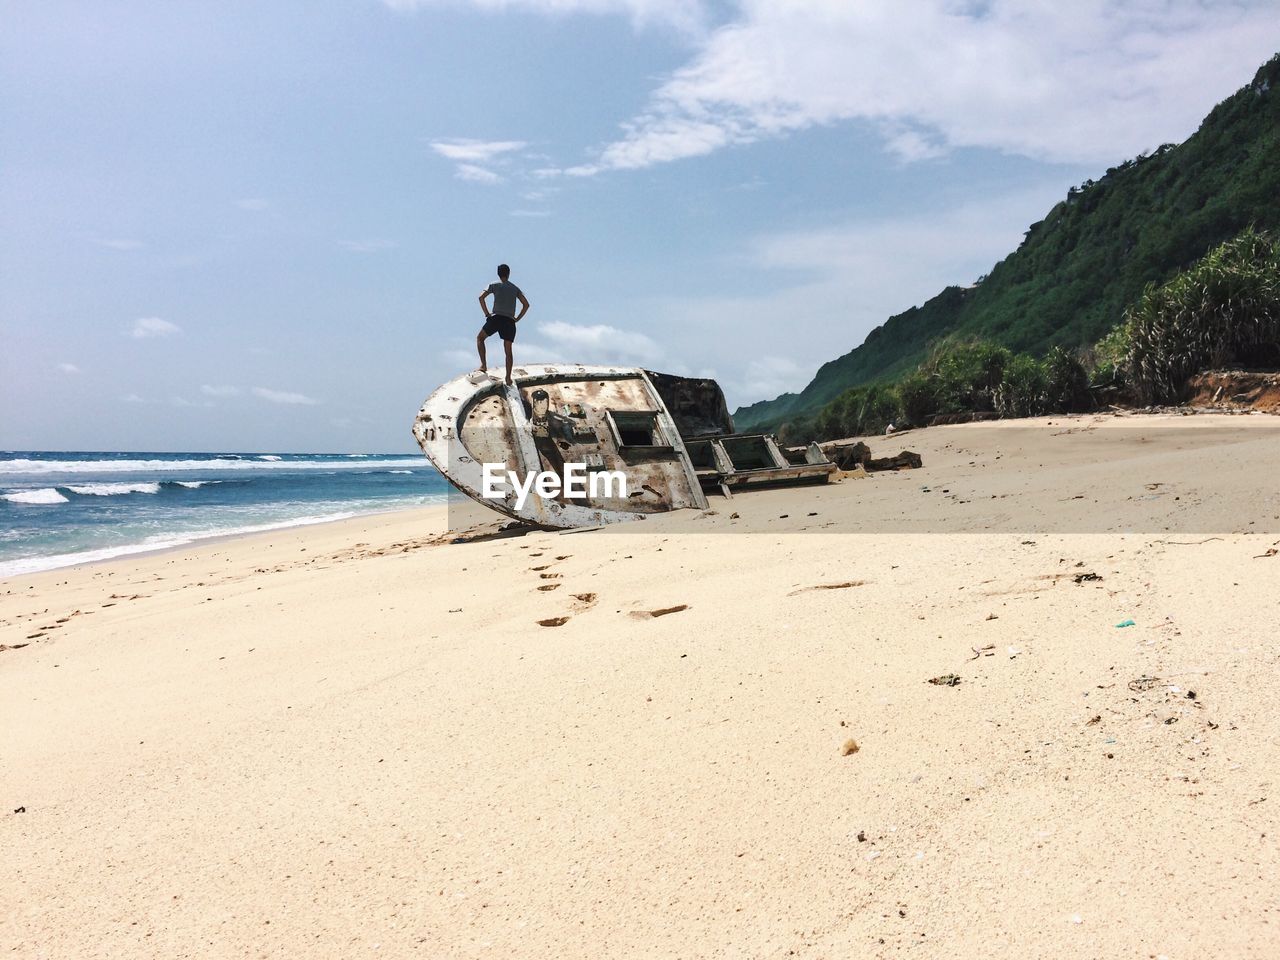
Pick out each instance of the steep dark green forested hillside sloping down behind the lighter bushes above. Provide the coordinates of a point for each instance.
(1077, 271)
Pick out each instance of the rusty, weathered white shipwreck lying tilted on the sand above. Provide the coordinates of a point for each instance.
(655, 442)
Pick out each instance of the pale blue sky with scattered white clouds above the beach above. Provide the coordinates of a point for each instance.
(245, 226)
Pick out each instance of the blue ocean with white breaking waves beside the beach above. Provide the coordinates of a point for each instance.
(58, 509)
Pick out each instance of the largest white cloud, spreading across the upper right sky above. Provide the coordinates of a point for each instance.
(1092, 81)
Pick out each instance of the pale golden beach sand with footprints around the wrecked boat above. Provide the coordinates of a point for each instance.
(358, 740)
